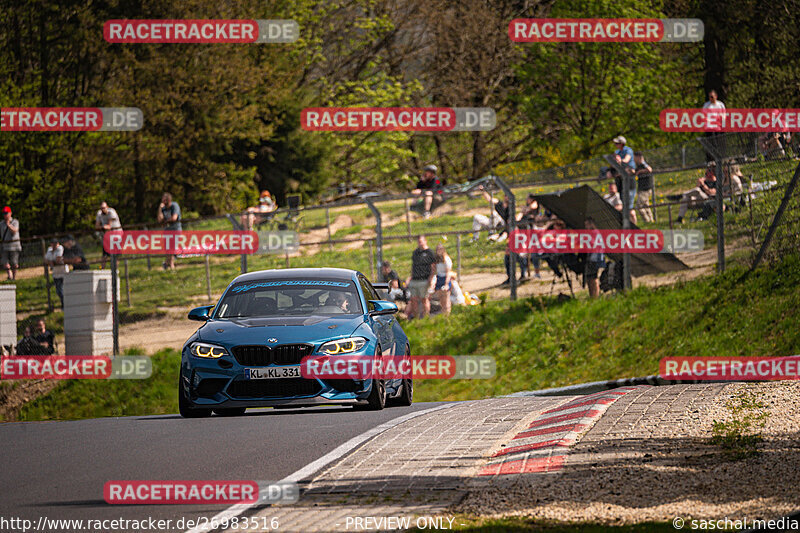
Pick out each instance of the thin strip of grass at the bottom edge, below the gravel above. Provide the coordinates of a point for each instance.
(514, 524)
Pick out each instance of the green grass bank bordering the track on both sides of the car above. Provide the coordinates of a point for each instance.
(537, 342)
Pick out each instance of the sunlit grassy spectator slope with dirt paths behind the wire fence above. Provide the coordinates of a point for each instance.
(760, 221)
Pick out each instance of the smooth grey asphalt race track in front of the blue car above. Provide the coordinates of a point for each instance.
(58, 469)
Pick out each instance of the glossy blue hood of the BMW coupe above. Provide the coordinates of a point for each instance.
(287, 330)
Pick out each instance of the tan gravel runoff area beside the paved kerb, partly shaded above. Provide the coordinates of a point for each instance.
(649, 458)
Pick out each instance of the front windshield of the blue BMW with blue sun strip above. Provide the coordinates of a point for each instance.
(289, 298)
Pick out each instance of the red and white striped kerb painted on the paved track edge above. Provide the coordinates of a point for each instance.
(543, 445)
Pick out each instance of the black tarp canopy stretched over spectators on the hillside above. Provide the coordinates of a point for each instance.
(573, 206)
